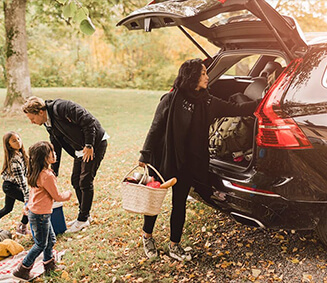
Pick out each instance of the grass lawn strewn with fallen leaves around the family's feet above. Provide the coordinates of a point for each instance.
(109, 250)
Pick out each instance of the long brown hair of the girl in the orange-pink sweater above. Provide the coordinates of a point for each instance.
(39, 159)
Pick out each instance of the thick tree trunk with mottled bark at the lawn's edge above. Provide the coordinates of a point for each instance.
(18, 78)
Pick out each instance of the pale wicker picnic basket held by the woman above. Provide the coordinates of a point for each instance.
(138, 198)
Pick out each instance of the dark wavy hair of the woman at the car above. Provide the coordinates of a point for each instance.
(189, 74)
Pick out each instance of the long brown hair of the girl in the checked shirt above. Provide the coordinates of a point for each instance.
(9, 152)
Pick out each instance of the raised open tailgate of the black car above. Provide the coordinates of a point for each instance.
(192, 14)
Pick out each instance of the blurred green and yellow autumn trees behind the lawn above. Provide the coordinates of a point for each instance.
(60, 54)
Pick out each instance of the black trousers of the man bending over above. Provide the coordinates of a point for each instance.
(82, 180)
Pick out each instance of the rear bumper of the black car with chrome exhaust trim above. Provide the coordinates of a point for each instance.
(267, 210)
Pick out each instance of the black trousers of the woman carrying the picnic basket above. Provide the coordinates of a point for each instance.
(177, 217)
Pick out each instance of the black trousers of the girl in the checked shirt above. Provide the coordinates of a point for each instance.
(13, 193)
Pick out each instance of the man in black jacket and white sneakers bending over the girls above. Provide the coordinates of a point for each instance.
(72, 128)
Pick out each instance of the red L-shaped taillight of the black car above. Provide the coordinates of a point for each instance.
(276, 129)
